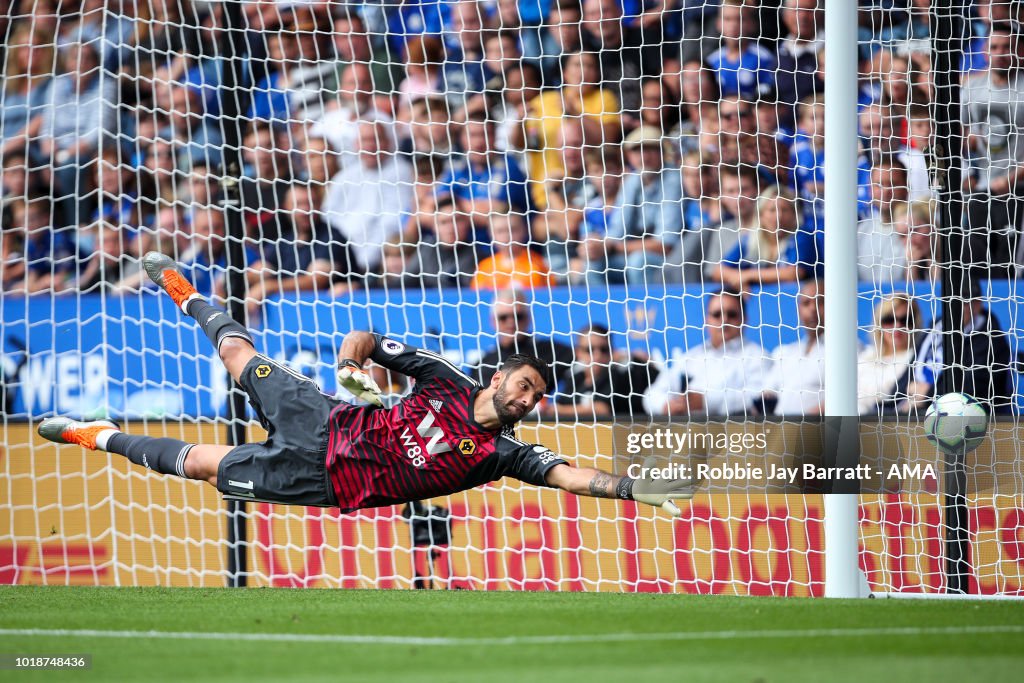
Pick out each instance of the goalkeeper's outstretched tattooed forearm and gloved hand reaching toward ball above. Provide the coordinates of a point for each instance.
(598, 484)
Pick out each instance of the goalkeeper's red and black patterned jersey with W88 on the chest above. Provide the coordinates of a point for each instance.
(429, 444)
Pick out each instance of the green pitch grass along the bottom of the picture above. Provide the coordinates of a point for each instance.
(858, 652)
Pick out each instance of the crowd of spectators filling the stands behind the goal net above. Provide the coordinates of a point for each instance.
(510, 147)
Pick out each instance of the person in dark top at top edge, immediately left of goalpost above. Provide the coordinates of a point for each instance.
(797, 78)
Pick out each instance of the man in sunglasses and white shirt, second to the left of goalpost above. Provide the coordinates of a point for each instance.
(720, 377)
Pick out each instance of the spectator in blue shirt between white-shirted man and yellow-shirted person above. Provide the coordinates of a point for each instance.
(485, 180)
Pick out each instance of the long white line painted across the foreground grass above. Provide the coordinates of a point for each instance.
(520, 641)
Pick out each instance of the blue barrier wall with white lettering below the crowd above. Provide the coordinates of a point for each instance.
(138, 356)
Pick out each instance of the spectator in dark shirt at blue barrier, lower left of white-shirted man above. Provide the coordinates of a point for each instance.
(307, 259)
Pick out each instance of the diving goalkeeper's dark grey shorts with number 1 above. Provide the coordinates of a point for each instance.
(290, 467)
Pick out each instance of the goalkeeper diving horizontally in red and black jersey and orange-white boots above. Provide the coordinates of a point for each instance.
(449, 436)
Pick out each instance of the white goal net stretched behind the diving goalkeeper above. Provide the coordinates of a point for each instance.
(633, 190)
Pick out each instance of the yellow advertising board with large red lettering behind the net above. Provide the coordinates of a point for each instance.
(77, 518)
